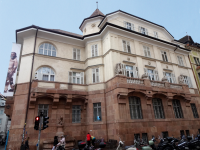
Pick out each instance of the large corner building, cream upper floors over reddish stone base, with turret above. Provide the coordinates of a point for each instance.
(124, 72)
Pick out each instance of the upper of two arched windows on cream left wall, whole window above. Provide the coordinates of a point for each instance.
(47, 49)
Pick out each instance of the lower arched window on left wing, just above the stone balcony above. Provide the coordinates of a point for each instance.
(45, 73)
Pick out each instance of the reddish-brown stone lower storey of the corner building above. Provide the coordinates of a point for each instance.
(140, 108)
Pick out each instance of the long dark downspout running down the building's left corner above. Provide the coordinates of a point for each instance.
(30, 84)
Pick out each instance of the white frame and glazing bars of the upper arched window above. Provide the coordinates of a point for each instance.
(43, 49)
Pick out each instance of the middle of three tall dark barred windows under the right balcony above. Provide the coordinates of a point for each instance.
(158, 108)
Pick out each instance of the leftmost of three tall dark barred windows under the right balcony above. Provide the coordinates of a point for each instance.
(135, 108)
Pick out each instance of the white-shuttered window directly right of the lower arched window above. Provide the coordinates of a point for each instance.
(76, 77)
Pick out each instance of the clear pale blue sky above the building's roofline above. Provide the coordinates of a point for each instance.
(177, 16)
